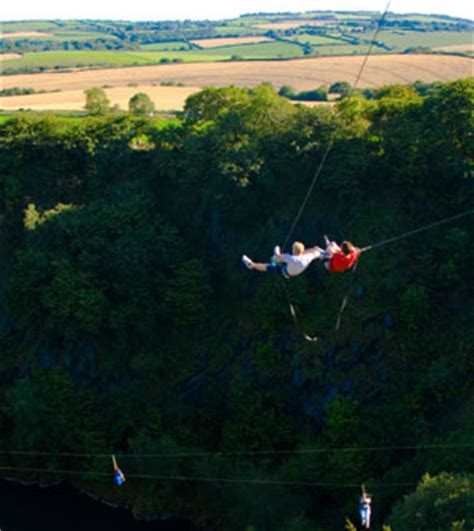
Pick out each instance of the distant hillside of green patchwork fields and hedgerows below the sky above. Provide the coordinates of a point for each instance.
(254, 36)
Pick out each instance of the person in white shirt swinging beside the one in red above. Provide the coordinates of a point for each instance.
(288, 265)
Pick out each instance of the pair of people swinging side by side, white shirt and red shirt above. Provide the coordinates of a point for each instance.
(335, 258)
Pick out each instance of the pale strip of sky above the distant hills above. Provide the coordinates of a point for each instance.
(214, 10)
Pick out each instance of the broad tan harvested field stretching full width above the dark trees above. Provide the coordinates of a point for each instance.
(301, 74)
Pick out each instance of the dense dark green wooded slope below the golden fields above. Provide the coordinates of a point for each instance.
(129, 325)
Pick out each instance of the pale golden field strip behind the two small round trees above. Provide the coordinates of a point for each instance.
(164, 98)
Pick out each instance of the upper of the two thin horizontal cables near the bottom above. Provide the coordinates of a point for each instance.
(297, 451)
